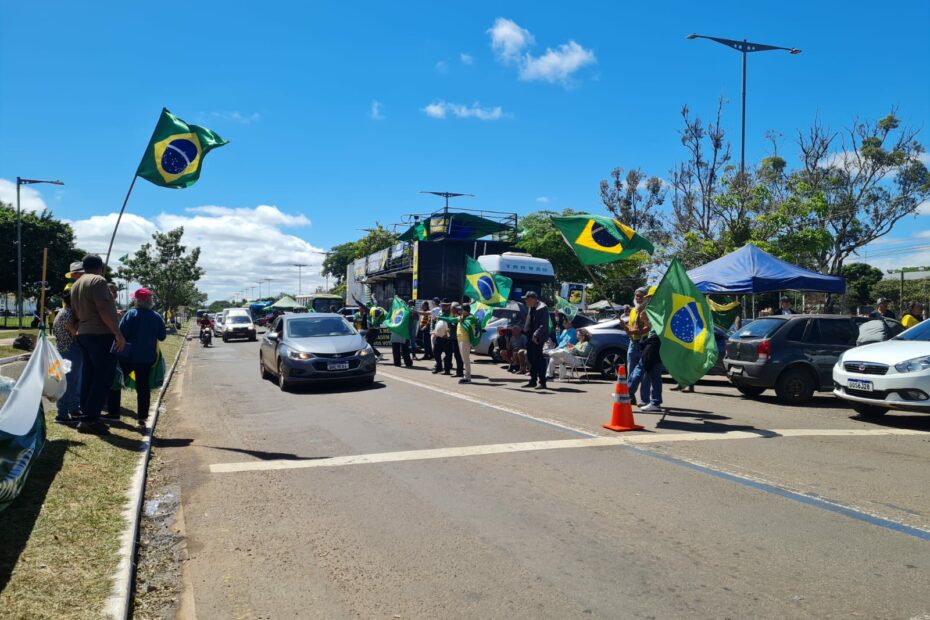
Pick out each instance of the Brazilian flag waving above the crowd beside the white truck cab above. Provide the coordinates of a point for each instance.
(597, 239)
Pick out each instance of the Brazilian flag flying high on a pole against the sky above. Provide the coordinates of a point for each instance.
(175, 153)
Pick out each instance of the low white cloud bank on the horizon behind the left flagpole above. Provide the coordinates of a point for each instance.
(238, 246)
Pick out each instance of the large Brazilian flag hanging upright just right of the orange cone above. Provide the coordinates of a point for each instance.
(681, 317)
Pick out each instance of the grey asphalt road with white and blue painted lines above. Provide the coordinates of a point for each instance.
(422, 498)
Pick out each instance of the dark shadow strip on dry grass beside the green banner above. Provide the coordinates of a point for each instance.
(20, 517)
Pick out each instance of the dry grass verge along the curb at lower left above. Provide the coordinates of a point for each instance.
(61, 536)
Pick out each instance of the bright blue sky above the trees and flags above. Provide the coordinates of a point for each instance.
(293, 86)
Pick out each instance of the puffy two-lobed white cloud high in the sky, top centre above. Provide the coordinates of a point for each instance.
(510, 43)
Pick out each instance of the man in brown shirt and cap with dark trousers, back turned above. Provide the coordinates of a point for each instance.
(97, 333)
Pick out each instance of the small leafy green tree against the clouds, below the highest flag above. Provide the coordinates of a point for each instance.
(168, 269)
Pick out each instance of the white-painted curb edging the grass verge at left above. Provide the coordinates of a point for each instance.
(118, 603)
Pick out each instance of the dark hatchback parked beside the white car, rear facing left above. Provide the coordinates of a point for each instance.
(793, 354)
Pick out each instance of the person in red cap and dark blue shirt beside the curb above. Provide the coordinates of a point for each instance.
(143, 327)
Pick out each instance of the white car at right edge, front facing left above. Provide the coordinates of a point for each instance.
(894, 374)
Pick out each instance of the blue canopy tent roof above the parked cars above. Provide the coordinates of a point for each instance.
(751, 270)
